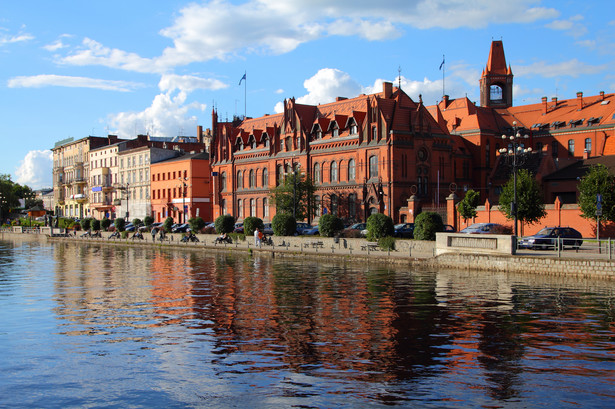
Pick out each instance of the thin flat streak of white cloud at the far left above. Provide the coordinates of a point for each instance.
(38, 81)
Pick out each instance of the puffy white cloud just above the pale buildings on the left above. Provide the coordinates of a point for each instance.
(168, 115)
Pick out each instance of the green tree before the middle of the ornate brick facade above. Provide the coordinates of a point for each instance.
(295, 195)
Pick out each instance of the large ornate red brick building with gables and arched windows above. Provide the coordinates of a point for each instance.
(366, 154)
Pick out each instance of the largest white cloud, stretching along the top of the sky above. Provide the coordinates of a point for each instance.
(202, 32)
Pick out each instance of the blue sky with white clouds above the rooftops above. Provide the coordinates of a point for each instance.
(73, 69)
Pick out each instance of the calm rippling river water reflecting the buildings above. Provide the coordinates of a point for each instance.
(90, 326)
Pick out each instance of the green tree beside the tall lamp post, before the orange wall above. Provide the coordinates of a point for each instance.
(530, 206)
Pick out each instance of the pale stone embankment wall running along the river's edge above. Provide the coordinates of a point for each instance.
(588, 261)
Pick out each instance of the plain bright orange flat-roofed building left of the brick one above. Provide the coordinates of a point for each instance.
(180, 188)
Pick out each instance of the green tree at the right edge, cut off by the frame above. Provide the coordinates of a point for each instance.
(596, 181)
